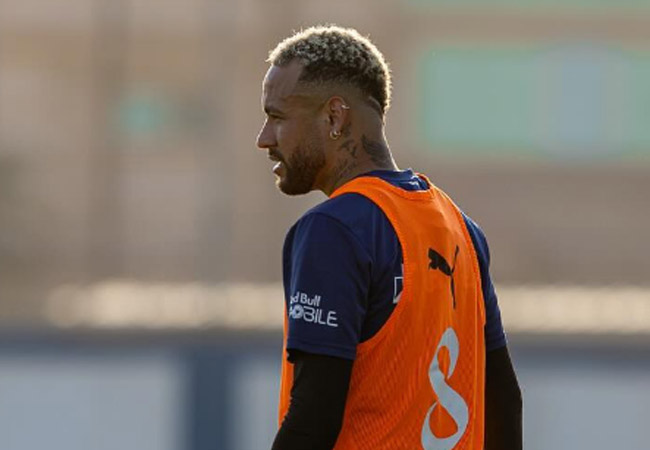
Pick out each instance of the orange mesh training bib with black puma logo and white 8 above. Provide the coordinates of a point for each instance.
(427, 363)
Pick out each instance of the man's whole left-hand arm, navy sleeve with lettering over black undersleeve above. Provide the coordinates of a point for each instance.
(326, 262)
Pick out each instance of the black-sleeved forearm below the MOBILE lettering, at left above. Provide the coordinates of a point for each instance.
(320, 388)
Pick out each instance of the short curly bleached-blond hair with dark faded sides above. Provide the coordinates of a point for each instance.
(340, 55)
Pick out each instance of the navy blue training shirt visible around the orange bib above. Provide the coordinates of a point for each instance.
(342, 270)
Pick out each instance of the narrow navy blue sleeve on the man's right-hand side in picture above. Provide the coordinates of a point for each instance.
(494, 335)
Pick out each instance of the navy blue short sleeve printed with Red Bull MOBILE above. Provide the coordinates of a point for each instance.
(327, 277)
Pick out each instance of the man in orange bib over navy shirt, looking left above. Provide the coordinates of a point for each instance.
(393, 337)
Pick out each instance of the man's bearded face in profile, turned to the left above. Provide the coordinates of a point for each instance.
(291, 133)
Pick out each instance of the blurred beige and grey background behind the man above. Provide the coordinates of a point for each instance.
(141, 231)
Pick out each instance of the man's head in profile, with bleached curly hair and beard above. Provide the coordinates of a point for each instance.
(316, 77)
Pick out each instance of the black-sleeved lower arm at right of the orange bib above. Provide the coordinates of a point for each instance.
(503, 403)
